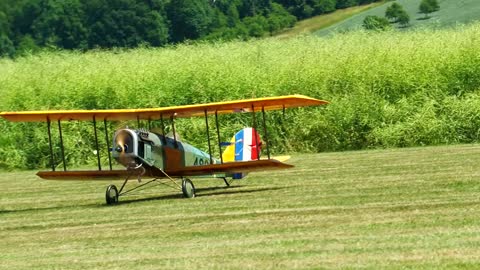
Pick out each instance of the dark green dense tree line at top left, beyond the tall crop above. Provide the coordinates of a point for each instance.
(29, 25)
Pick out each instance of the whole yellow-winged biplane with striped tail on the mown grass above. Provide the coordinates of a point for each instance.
(154, 155)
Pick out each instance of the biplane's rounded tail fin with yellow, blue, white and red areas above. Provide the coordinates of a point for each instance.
(245, 145)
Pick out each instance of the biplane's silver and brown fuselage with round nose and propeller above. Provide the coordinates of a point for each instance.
(140, 147)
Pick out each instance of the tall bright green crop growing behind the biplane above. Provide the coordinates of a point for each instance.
(389, 89)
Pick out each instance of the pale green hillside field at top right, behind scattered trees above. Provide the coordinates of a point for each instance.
(451, 13)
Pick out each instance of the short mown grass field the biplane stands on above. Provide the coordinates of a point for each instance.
(395, 209)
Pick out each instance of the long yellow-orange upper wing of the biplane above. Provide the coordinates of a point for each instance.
(244, 105)
